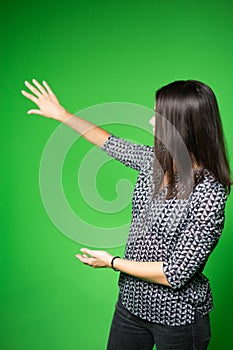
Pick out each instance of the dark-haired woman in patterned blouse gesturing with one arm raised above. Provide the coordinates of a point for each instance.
(177, 217)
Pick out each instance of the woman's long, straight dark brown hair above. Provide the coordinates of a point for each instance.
(188, 127)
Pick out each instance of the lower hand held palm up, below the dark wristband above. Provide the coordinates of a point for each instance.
(99, 258)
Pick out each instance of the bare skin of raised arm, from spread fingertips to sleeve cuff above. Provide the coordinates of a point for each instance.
(50, 107)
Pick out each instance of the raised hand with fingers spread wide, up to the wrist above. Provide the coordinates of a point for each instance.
(46, 100)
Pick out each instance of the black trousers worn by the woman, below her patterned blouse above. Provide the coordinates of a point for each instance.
(129, 332)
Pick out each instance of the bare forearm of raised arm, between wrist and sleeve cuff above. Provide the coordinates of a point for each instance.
(88, 130)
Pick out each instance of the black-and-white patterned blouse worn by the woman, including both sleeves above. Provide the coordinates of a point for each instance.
(180, 232)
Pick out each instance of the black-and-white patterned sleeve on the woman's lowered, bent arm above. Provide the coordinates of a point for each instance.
(200, 236)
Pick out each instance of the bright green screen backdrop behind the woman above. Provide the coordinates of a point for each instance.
(92, 53)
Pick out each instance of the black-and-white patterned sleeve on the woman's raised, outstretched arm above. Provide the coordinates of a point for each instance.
(130, 154)
